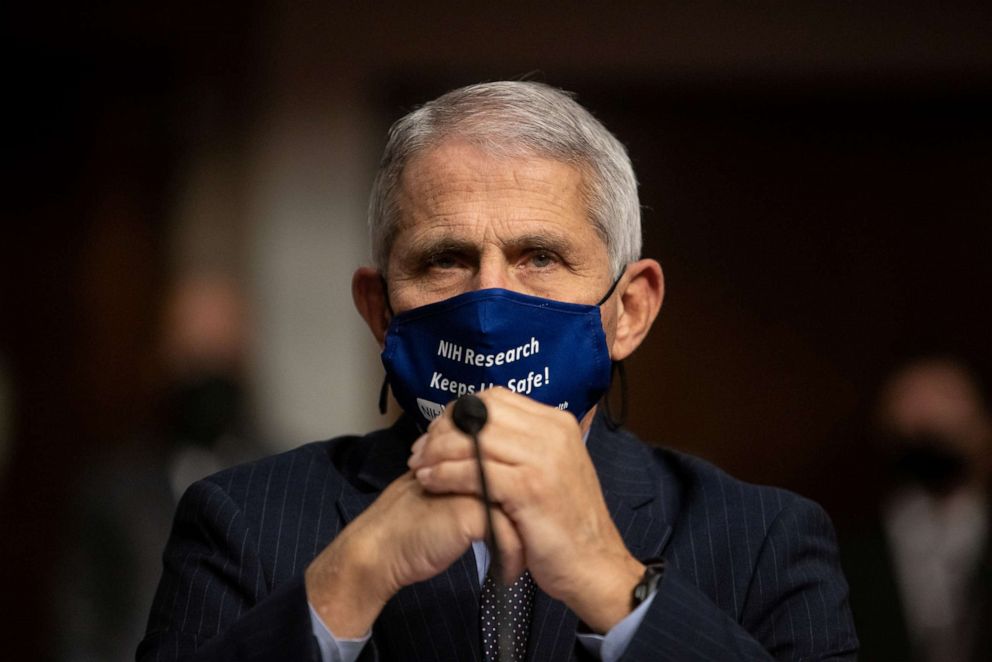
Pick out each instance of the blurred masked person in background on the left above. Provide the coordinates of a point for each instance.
(126, 500)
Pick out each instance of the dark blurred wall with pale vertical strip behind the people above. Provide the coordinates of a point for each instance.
(816, 179)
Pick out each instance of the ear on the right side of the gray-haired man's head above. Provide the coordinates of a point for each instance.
(639, 302)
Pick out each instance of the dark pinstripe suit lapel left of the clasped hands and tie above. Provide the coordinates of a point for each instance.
(437, 619)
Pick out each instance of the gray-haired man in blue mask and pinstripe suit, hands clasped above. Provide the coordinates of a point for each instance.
(506, 236)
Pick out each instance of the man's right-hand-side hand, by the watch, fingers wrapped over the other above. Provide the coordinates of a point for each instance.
(542, 481)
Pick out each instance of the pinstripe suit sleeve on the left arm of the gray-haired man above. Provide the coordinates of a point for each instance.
(214, 601)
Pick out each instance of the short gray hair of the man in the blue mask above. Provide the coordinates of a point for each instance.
(516, 118)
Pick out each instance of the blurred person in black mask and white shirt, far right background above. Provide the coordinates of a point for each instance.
(921, 571)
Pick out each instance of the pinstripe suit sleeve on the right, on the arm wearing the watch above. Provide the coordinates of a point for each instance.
(795, 607)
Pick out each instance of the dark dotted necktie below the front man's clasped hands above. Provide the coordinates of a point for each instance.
(505, 612)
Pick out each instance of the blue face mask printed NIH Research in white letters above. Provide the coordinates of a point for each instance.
(550, 351)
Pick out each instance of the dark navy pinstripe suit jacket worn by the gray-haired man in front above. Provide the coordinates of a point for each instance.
(752, 571)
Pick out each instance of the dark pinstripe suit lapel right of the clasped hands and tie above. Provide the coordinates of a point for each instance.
(644, 521)
